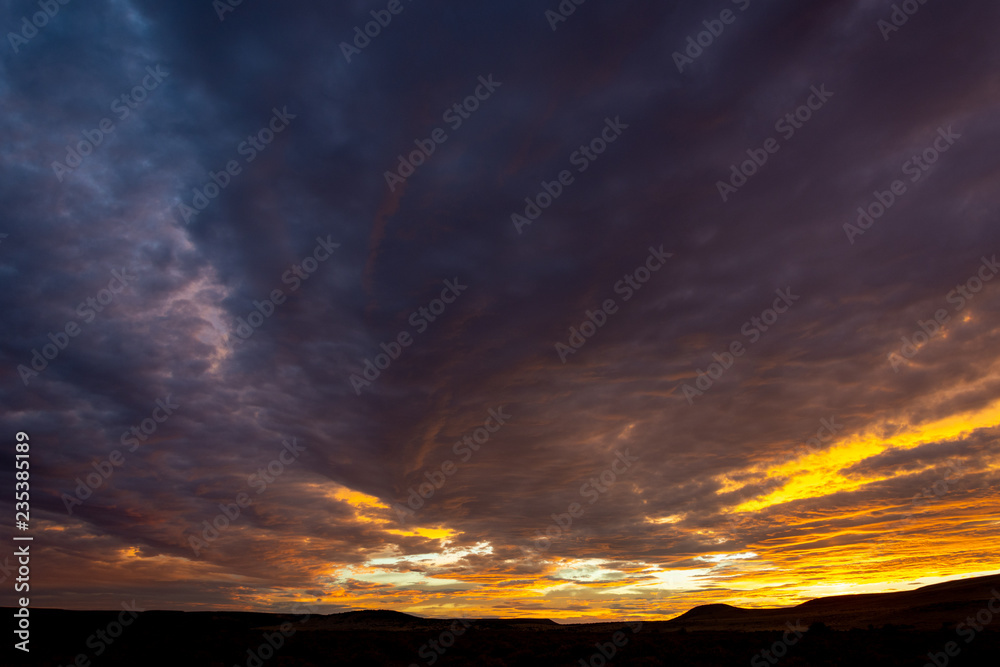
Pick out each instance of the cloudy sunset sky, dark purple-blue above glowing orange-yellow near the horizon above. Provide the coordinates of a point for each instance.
(500, 310)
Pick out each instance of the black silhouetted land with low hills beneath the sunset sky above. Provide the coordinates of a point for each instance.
(914, 628)
